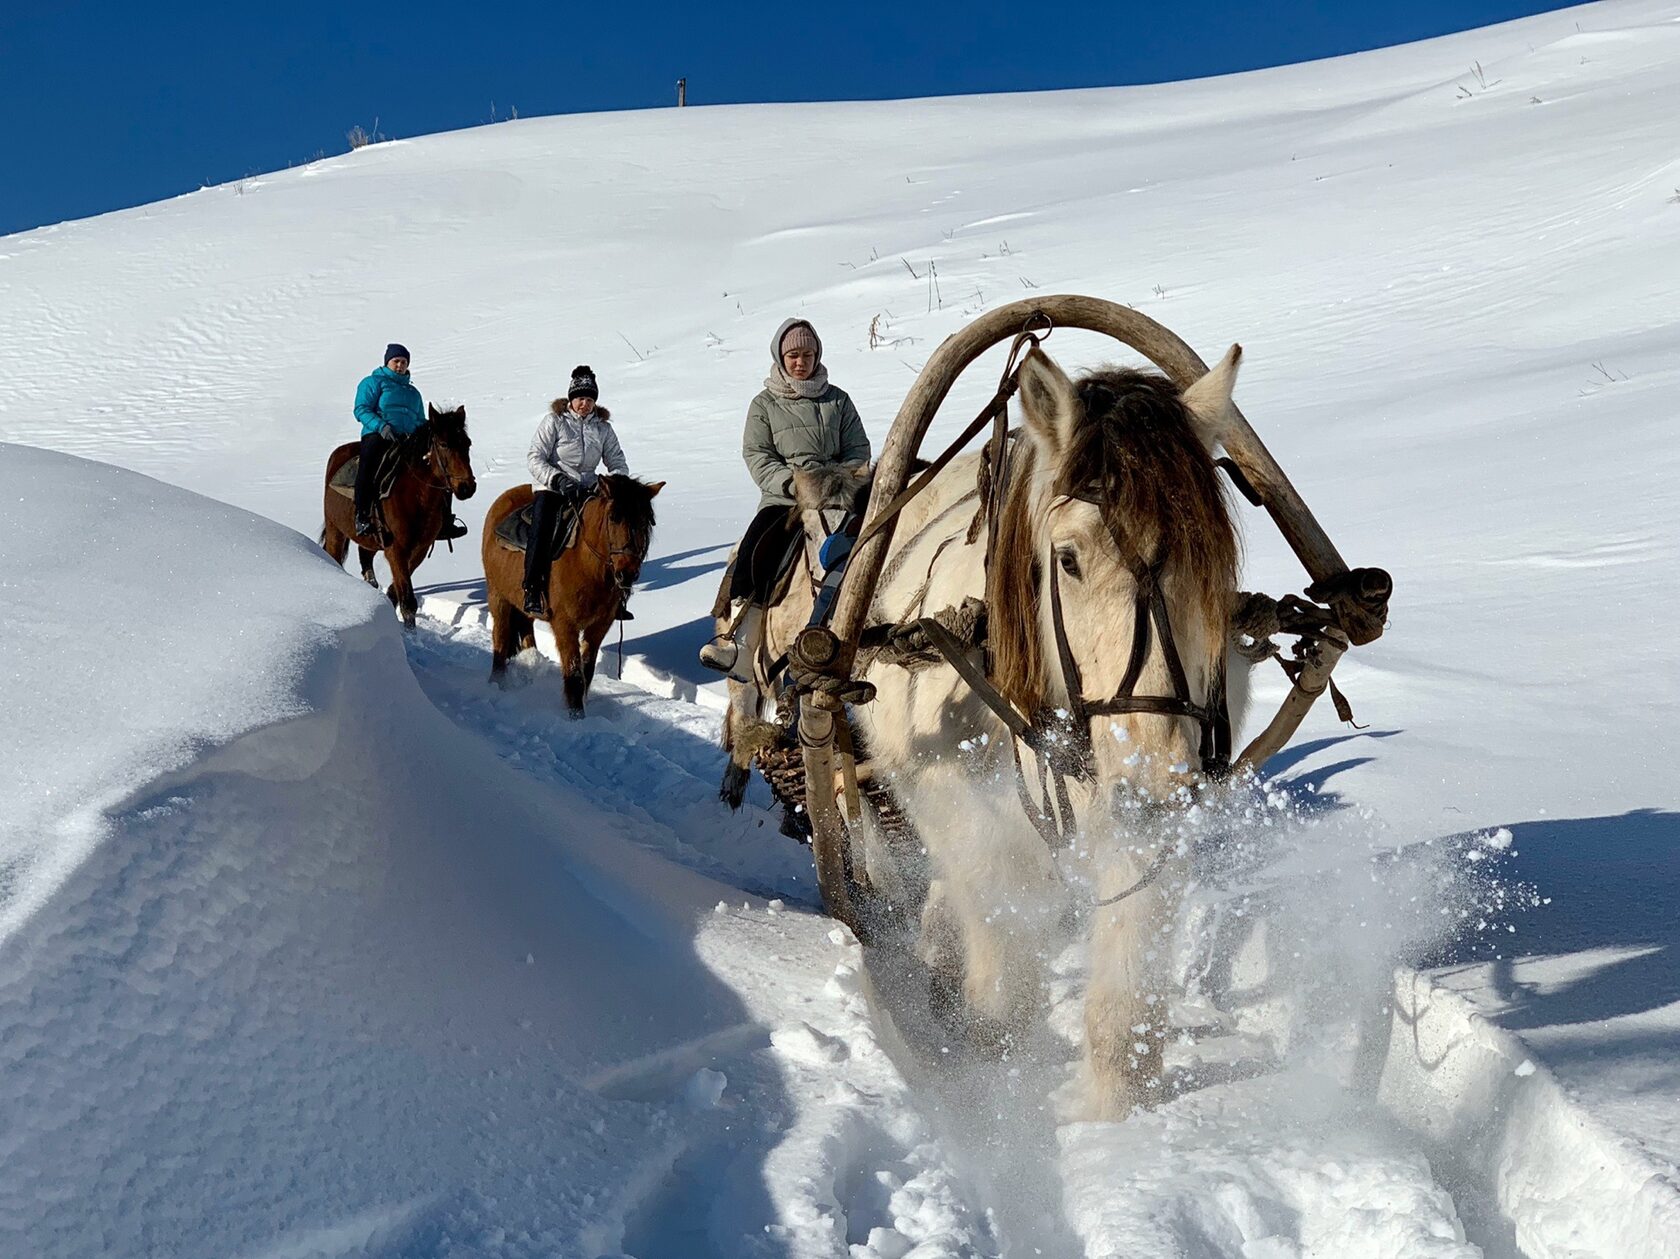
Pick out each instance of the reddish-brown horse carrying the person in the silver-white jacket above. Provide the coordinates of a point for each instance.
(587, 582)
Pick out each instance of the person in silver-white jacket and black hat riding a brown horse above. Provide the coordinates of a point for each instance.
(570, 443)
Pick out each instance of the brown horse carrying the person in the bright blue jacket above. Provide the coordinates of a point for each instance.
(434, 466)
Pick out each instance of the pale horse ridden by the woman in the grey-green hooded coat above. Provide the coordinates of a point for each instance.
(824, 497)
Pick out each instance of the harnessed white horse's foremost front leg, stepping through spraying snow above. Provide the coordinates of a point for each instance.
(1126, 1021)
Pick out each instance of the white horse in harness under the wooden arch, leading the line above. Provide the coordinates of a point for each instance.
(1110, 490)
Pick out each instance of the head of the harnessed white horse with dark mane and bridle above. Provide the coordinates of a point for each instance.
(1115, 524)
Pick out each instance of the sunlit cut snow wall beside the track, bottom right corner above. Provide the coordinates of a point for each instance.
(1493, 1115)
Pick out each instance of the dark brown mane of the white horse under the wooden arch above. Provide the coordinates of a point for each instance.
(1137, 455)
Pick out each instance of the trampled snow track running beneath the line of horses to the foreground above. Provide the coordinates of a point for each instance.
(895, 1151)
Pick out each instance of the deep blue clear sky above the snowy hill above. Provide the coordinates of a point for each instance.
(113, 105)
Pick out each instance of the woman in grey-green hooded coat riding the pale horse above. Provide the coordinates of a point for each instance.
(797, 421)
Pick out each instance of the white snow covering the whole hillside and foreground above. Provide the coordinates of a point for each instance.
(315, 944)
